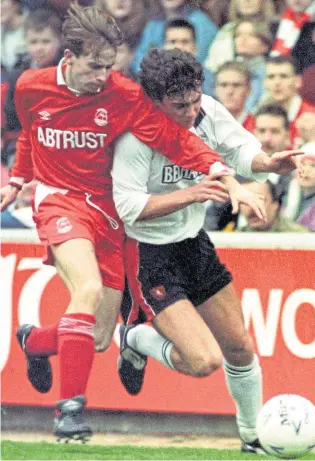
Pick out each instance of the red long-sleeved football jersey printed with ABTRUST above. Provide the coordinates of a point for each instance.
(67, 139)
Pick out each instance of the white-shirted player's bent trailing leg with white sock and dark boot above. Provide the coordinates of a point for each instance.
(183, 342)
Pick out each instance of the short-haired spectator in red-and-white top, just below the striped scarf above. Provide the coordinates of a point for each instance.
(283, 83)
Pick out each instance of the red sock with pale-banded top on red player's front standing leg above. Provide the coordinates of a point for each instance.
(76, 352)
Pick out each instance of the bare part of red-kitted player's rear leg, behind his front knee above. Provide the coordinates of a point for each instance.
(107, 313)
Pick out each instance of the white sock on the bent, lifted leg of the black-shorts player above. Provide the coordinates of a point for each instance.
(148, 341)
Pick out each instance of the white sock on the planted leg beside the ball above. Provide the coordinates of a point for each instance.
(245, 386)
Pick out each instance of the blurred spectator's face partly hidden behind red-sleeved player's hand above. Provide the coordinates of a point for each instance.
(272, 208)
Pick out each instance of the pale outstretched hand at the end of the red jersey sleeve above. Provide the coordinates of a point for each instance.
(240, 194)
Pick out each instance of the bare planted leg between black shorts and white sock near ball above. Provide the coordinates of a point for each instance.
(224, 316)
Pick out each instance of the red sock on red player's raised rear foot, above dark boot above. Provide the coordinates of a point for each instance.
(43, 341)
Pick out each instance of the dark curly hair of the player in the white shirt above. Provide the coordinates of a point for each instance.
(170, 73)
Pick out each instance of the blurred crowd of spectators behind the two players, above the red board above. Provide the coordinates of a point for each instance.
(259, 62)
